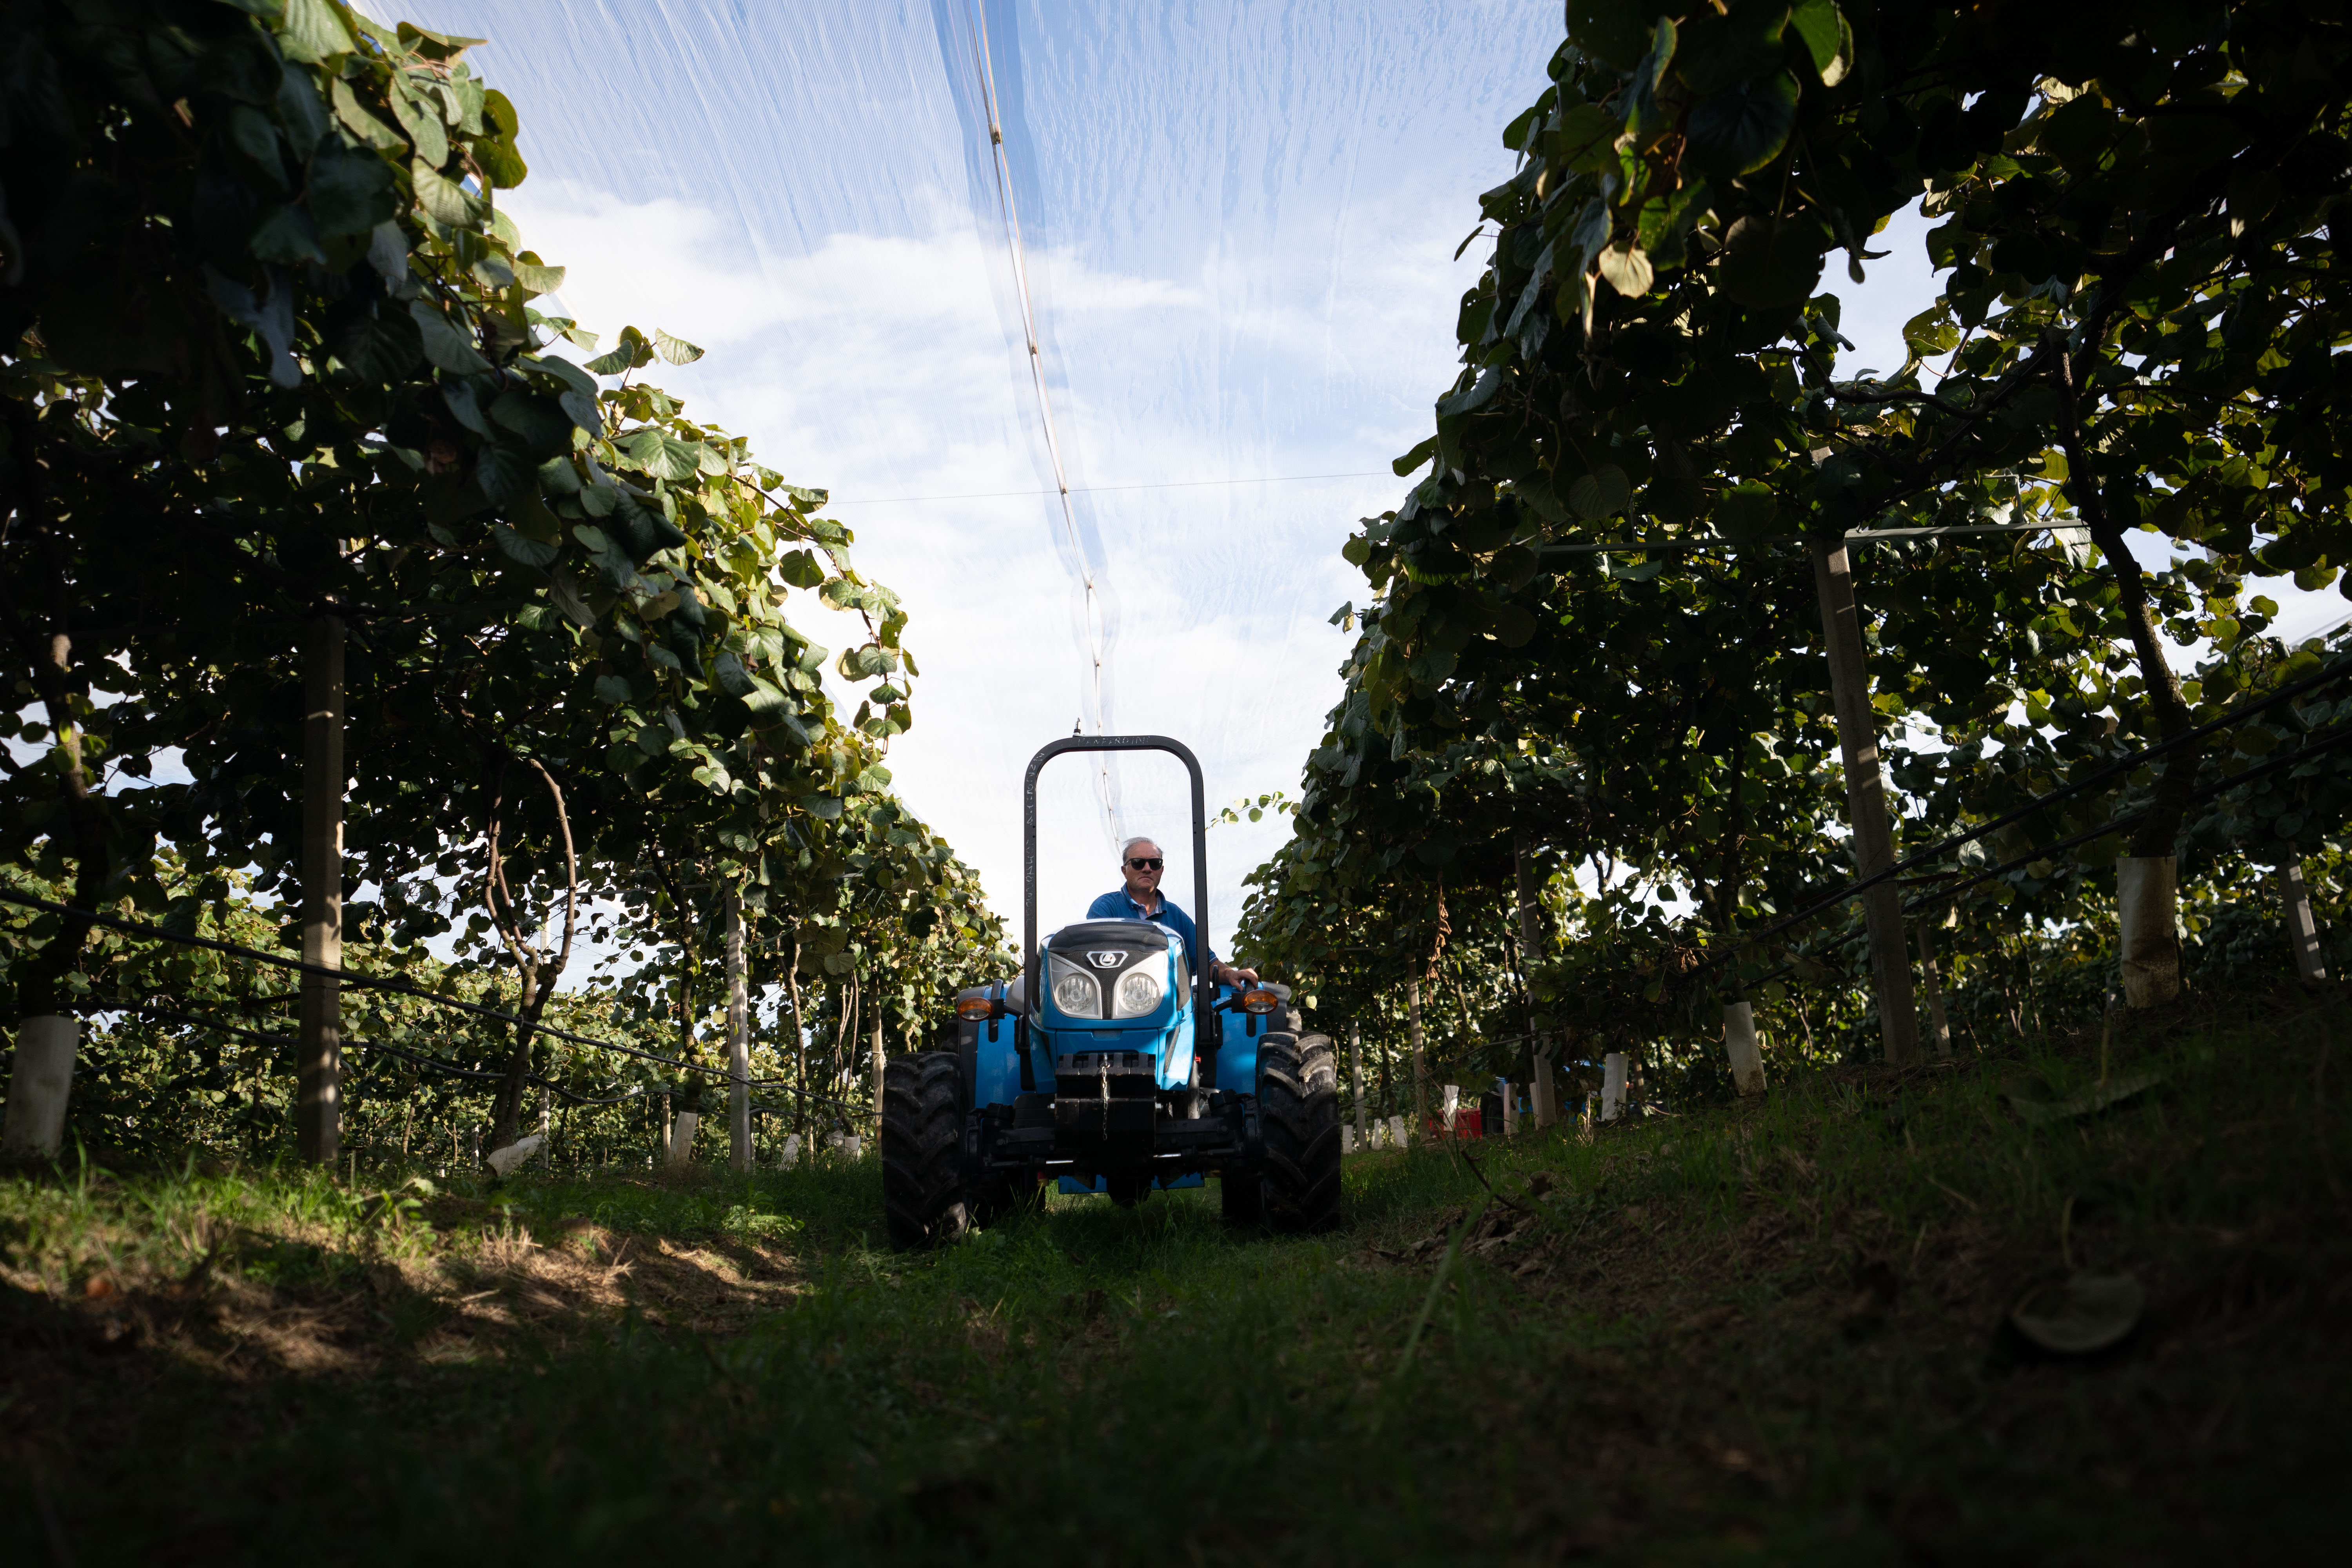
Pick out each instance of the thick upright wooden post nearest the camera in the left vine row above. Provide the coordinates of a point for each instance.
(319, 1045)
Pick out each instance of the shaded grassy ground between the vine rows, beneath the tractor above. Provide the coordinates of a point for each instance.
(1765, 1334)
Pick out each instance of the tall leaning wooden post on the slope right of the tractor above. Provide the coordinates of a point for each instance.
(1866, 800)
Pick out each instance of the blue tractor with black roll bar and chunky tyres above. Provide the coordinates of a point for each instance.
(1111, 1066)
